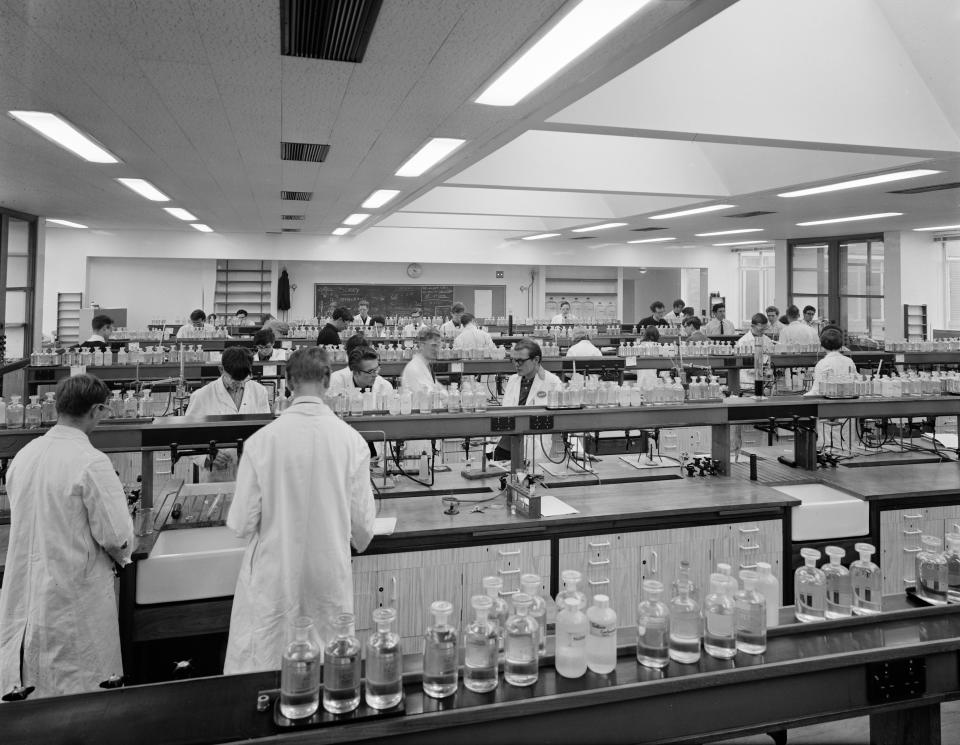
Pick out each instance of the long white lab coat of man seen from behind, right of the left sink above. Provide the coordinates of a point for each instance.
(303, 496)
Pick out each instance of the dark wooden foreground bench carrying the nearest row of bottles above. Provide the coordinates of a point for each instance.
(897, 668)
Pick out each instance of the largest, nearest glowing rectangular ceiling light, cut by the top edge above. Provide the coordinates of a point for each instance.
(580, 29)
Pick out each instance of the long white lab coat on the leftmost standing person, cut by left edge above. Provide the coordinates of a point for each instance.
(57, 603)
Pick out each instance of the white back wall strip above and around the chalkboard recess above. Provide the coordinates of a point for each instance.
(477, 255)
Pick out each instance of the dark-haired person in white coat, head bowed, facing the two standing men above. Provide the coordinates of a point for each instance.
(232, 393)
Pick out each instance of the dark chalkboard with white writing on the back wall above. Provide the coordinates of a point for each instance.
(384, 300)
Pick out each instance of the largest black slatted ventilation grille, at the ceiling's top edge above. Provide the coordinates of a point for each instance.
(336, 30)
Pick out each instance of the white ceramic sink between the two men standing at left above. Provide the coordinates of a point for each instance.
(190, 564)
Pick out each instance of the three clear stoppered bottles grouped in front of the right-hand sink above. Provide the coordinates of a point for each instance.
(833, 590)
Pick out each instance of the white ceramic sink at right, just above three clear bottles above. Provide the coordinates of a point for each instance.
(826, 513)
